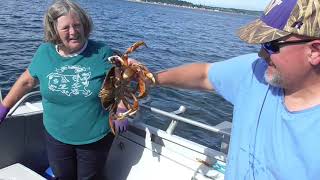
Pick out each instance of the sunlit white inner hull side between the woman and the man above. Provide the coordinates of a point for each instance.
(160, 157)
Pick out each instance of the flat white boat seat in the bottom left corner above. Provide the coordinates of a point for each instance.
(18, 171)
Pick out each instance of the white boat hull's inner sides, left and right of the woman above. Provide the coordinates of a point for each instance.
(143, 152)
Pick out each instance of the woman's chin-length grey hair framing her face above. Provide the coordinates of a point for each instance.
(61, 8)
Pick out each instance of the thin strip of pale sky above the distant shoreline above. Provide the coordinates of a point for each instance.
(239, 4)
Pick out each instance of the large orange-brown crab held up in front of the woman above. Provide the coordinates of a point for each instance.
(117, 86)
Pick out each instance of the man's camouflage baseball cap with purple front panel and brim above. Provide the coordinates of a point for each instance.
(284, 17)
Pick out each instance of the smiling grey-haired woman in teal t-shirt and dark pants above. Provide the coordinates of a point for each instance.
(70, 69)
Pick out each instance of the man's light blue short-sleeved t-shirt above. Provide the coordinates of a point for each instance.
(268, 141)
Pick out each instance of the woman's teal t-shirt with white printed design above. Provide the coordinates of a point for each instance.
(72, 111)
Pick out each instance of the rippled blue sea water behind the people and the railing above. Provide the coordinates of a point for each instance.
(174, 36)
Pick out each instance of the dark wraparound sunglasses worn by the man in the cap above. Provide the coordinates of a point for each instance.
(274, 46)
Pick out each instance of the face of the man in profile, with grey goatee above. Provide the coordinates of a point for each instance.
(288, 66)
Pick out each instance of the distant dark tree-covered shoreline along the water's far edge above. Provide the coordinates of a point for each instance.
(214, 9)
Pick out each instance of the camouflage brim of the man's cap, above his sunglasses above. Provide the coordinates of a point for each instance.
(258, 32)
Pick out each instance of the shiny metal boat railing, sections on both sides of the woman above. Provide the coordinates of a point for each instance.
(173, 115)
